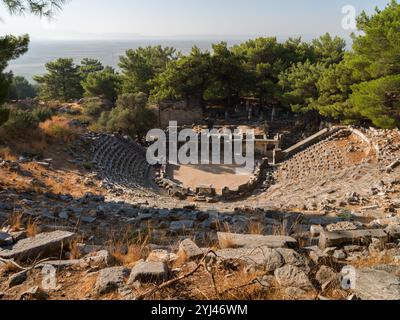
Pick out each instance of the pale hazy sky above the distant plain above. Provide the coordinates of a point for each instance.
(163, 18)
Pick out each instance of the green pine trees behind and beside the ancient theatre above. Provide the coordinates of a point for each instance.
(359, 86)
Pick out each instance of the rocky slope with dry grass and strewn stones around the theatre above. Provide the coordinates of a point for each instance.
(331, 233)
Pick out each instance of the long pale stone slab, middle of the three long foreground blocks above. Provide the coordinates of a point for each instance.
(232, 240)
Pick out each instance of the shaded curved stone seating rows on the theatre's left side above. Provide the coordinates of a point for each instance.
(122, 163)
